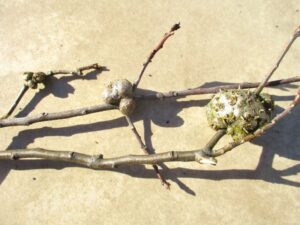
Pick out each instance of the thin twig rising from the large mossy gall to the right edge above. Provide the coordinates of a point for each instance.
(287, 48)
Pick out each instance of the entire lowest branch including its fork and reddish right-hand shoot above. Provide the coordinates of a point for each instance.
(98, 162)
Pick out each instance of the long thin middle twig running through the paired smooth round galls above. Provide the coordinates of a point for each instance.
(23, 121)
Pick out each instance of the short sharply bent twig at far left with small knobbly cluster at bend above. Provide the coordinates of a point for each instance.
(43, 75)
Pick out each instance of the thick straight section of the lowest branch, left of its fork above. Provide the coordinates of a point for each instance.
(97, 161)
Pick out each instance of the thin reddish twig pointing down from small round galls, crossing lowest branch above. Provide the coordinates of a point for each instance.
(146, 151)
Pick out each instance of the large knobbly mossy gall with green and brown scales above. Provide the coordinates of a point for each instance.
(240, 112)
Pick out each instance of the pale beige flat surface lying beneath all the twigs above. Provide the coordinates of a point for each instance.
(225, 41)
